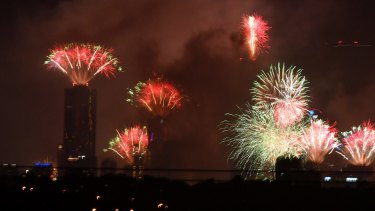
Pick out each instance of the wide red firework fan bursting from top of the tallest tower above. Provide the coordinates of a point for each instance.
(81, 62)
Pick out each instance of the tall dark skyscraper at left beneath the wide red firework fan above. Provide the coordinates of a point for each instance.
(77, 153)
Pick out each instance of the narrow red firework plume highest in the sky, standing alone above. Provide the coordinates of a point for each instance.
(255, 31)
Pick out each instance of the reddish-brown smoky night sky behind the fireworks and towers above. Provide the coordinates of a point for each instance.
(197, 45)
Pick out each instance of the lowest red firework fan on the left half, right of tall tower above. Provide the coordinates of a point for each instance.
(131, 142)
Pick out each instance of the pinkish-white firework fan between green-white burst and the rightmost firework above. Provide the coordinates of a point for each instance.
(318, 140)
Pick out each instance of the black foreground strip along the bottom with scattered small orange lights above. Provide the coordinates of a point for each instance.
(118, 192)
